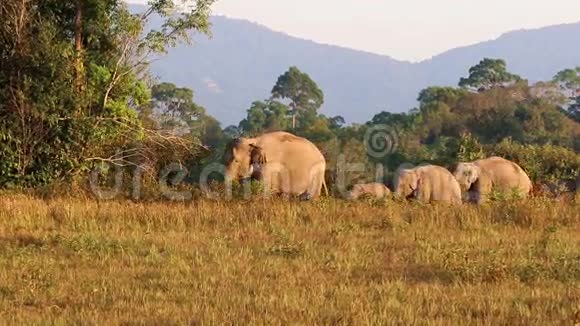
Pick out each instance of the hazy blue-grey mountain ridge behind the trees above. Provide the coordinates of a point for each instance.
(242, 60)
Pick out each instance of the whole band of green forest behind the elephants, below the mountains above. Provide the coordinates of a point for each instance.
(75, 91)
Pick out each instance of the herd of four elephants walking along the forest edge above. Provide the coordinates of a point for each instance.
(292, 165)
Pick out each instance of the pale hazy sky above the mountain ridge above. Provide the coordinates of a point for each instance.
(404, 29)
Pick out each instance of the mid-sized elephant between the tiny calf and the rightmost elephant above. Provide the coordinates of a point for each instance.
(427, 183)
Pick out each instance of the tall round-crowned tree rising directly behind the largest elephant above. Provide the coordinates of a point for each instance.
(301, 90)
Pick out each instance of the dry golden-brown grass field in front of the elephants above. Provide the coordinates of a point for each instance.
(72, 261)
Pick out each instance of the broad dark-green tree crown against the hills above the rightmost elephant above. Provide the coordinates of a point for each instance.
(488, 74)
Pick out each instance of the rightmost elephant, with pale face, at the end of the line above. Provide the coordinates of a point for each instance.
(482, 176)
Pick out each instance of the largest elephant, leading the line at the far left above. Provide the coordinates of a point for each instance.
(285, 163)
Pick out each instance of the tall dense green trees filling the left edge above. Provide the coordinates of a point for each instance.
(72, 74)
